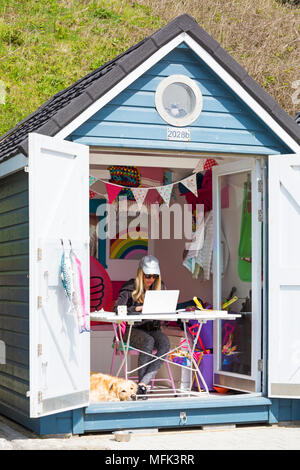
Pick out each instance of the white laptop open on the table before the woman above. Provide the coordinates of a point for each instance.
(160, 301)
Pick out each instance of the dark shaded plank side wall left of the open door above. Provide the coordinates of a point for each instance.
(14, 292)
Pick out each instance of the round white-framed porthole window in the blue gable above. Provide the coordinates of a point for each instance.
(178, 100)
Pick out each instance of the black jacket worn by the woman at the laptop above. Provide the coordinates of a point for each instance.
(125, 298)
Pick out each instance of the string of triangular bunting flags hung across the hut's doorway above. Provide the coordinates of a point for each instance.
(165, 191)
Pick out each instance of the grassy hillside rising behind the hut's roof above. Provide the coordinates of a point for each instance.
(46, 45)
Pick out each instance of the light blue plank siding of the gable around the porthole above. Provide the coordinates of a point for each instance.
(225, 124)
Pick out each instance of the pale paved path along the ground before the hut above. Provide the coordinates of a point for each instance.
(278, 437)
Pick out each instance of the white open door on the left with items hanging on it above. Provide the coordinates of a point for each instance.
(59, 209)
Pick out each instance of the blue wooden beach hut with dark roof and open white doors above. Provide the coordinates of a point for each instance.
(171, 101)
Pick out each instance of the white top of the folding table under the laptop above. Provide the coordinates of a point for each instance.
(200, 315)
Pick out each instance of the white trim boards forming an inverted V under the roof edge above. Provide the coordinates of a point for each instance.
(212, 64)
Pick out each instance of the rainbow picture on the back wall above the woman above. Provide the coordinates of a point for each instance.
(129, 248)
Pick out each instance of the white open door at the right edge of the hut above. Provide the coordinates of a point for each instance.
(284, 276)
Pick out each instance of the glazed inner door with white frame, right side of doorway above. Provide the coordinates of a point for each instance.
(237, 205)
